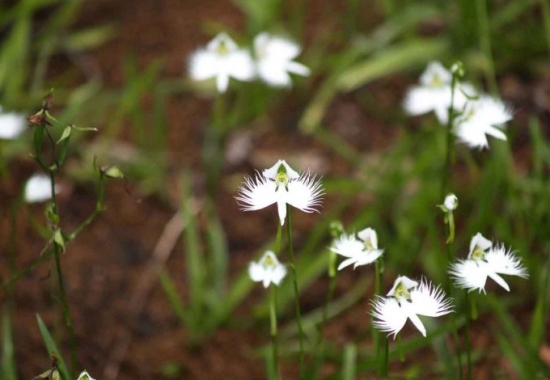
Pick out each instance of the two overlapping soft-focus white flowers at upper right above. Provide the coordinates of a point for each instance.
(479, 115)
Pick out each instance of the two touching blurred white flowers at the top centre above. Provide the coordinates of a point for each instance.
(272, 60)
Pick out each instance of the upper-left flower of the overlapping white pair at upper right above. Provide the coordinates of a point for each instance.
(434, 93)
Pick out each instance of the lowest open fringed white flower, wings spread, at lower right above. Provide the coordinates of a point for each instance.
(407, 300)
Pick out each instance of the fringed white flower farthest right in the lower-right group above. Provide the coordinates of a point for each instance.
(484, 261)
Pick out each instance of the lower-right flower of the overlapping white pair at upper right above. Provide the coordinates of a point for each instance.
(480, 118)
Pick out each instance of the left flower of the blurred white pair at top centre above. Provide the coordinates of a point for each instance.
(222, 59)
